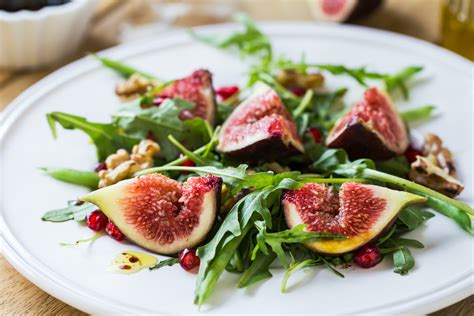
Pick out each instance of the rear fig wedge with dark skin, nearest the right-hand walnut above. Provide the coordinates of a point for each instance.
(372, 129)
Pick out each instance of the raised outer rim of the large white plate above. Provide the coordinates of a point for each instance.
(56, 286)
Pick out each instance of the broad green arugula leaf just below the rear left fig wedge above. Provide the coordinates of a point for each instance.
(162, 121)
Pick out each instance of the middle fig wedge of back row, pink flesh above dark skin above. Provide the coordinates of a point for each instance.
(260, 128)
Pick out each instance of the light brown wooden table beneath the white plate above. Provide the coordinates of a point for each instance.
(417, 18)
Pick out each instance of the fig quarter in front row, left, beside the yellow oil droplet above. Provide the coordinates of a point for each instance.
(159, 213)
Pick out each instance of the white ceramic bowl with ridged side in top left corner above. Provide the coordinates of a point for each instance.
(31, 39)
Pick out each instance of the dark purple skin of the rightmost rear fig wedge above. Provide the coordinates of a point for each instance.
(360, 142)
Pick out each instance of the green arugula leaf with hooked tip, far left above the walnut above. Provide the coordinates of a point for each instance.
(108, 138)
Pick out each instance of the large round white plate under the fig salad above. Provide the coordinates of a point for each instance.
(78, 276)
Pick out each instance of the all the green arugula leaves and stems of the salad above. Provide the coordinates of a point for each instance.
(253, 235)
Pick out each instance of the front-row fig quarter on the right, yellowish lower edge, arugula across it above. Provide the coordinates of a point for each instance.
(359, 211)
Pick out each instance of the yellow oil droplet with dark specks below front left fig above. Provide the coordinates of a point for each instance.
(132, 261)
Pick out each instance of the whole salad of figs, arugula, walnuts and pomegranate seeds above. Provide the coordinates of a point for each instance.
(279, 172)
